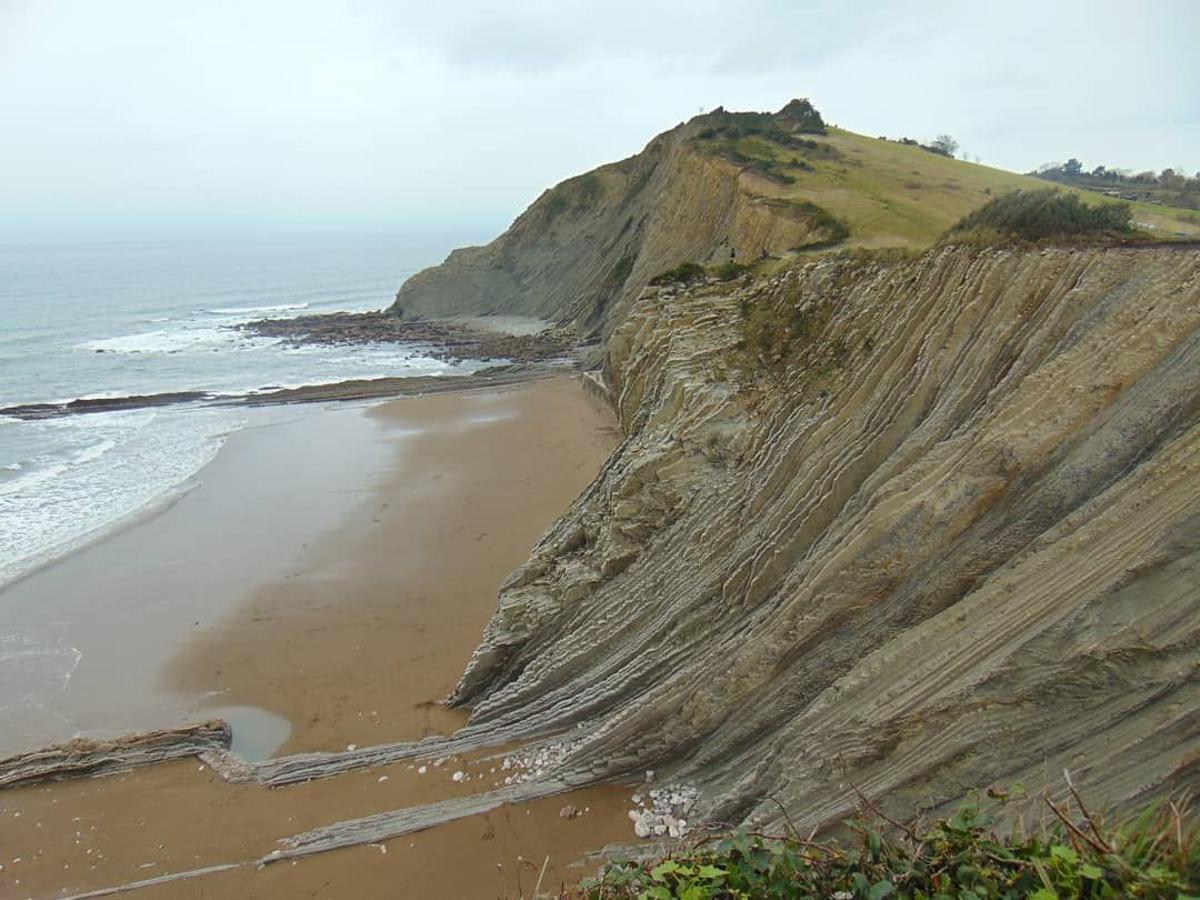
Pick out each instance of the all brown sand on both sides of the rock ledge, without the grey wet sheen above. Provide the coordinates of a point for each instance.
(353, 640)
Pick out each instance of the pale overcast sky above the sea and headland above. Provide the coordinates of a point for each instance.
(145, 119)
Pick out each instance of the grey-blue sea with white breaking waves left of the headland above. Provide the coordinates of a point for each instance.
(123, 320)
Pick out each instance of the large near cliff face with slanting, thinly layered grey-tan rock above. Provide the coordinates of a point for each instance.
(917, 527)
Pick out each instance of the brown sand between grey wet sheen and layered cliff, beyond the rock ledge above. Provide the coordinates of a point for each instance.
(359, 640)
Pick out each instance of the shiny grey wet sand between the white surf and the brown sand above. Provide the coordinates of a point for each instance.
(121, 608)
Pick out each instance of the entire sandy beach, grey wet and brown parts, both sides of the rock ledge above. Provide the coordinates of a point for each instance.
(325, 586)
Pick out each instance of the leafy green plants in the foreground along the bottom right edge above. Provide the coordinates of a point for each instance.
(1156, 855)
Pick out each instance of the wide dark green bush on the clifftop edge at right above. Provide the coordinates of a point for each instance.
(1039, 215)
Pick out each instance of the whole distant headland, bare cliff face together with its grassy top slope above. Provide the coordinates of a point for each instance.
(721, 184)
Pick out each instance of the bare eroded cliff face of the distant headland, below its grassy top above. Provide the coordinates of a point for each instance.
(585, 250)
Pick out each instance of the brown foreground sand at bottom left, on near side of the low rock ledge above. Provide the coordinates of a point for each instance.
(92, 833)
